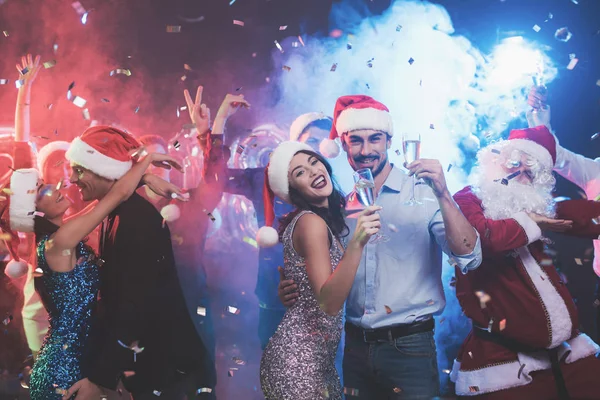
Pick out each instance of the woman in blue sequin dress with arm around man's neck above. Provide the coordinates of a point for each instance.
(67, 270)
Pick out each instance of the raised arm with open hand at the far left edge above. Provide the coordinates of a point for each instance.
(28, 70)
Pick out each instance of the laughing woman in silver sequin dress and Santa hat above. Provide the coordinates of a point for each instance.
(298, 362)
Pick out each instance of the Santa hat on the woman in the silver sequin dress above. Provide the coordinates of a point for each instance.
(277, 184)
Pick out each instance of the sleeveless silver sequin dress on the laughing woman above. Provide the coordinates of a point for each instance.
(299, 361)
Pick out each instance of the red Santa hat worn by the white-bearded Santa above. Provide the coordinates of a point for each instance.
(538, 142)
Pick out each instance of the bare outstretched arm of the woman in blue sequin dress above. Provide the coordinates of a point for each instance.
(77, 228)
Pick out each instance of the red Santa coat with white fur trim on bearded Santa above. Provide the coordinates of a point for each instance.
(528, 302)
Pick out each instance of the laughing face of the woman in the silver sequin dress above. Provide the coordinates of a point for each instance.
(310, 178)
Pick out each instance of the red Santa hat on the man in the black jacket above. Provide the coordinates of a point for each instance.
(104, 150)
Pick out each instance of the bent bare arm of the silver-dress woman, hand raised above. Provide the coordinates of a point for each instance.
(311, 238)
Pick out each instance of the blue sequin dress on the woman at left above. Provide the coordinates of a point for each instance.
(70, 298)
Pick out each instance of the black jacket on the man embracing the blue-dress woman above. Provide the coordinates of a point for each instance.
(141, 300)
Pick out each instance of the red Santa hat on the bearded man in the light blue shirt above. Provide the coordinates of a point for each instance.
(353, 113)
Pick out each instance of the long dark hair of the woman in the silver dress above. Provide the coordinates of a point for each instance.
(333, 214)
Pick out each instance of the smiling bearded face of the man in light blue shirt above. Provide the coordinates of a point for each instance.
(367, 148)
